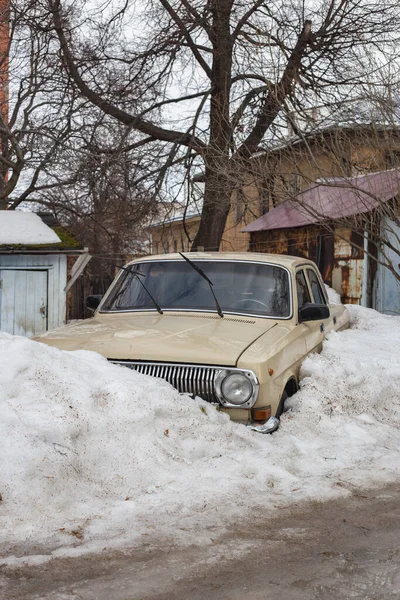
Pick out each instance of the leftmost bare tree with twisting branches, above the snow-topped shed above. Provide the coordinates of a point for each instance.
(37, 107)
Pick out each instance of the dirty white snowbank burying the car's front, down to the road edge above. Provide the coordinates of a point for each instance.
(95, 456)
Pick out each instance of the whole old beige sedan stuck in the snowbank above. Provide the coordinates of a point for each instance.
(232, 328)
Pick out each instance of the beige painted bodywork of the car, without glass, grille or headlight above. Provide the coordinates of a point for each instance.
(246, 342)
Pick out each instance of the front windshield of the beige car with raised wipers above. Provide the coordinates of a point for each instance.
(240, 287)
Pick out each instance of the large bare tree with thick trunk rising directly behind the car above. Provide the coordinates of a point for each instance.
(231, 69)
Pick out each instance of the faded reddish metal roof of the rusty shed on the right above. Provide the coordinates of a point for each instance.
(331, 199)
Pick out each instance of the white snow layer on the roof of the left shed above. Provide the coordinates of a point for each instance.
(17, 227)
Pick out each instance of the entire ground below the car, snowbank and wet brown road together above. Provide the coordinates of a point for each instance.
(100, 461)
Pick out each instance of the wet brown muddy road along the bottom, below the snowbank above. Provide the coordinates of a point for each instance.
(345, 549)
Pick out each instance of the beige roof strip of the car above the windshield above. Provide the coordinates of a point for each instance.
(289, 262)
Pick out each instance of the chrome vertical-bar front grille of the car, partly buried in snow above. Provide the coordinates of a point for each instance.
(191, 379)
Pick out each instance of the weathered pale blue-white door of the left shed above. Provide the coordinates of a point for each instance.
(23, 301)
